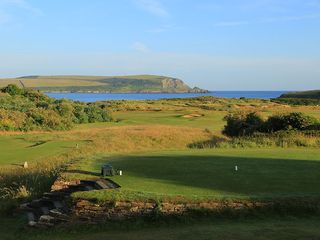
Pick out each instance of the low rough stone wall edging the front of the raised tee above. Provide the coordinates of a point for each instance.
(90, 211)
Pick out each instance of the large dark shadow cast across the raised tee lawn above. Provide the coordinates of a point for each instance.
(255, 176)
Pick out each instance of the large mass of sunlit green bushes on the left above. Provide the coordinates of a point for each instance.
(25, 110)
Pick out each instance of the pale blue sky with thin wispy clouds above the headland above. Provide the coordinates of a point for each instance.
(212, 44)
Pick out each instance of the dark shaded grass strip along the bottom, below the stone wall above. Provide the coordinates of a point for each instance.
(244, 229)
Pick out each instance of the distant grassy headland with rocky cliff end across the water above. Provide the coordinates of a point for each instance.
(119, 84)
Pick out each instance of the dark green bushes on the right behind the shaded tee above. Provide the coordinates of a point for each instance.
(247, 124)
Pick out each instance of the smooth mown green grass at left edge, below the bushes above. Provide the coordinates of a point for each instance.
(20, 148)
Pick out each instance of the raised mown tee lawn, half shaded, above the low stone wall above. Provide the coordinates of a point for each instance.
(202, 174)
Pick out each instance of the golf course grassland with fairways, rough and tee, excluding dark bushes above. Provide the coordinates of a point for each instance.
(172, 152)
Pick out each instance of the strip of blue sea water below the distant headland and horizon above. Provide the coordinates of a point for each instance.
(93, 97)
